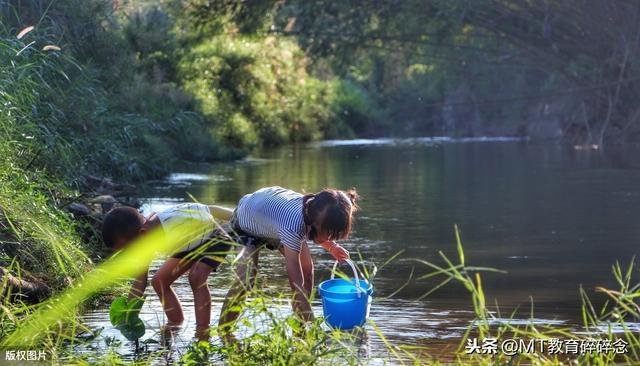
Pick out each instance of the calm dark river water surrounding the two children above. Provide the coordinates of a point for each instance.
(552, 217)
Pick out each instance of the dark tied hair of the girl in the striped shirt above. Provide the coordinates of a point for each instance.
(336, 207)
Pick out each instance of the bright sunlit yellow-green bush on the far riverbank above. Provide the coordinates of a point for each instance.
(255, 90)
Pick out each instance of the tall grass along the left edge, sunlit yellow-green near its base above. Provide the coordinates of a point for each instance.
(32, 152)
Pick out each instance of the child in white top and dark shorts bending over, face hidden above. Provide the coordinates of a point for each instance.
(123, 225)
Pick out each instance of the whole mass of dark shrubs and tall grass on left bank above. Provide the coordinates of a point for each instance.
(73, 102)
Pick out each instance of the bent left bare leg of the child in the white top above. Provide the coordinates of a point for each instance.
(162, 280)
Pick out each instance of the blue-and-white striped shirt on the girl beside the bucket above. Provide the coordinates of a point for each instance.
(274, 213)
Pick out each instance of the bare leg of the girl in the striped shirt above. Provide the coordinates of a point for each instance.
(245, 277)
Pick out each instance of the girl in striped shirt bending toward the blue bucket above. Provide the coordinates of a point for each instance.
(286, 220)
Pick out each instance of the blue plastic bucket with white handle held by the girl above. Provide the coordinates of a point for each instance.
(345, 303)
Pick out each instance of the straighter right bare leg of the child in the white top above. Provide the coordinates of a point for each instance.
(201, 298)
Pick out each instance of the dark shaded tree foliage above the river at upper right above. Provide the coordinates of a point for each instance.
(513, 56)
